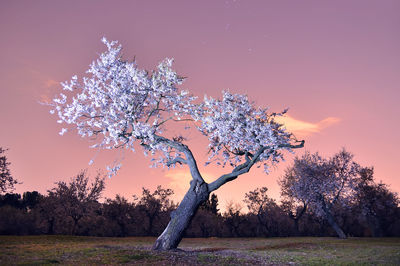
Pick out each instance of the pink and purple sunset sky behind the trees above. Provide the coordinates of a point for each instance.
(334, 64)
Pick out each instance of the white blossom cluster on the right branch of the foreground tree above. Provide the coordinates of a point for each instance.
(235, 127)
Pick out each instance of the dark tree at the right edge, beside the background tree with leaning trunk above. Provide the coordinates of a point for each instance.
(377, 203)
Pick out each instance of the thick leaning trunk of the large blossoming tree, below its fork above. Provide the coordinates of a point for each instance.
(181, 217)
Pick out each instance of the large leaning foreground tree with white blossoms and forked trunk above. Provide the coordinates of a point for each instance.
(122, 106)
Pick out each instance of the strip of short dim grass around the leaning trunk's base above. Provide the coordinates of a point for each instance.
(45, 250)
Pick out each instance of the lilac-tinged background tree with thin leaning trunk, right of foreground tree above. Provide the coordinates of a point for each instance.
(321, 183)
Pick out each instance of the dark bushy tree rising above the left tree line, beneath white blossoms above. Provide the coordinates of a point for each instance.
(77, 199)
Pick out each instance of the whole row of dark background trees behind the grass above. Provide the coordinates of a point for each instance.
(320, 197)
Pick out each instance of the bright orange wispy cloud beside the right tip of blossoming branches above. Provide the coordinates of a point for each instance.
(304, 128)
